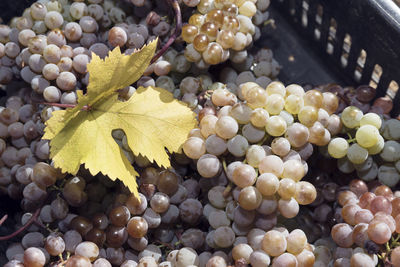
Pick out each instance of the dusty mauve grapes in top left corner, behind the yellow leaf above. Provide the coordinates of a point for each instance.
(51, 44)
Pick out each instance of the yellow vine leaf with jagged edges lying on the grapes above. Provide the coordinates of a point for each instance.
(151, 119)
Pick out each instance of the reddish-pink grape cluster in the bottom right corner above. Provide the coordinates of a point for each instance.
(370, 220)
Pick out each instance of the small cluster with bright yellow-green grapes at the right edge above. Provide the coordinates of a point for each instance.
(374, 152)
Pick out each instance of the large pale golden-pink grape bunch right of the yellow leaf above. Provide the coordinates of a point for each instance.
(268, 146)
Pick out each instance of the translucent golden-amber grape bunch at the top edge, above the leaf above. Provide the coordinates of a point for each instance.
(220, 29)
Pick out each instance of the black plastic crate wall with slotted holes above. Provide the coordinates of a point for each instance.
(350, 42)
